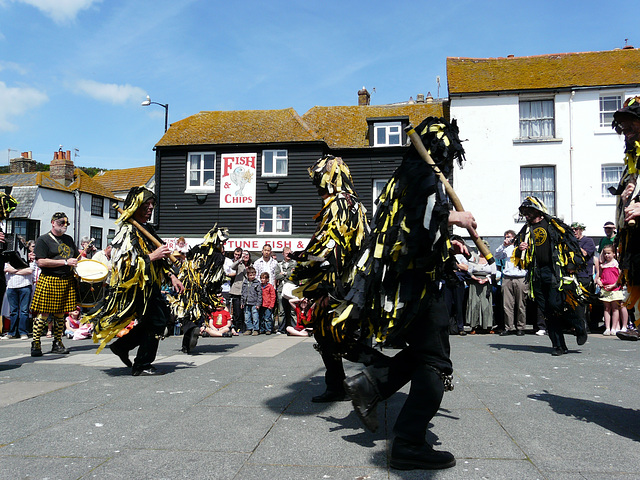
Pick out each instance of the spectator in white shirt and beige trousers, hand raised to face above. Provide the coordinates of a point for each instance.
(514, 288)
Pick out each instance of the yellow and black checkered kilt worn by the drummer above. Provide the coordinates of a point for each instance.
(55, 295)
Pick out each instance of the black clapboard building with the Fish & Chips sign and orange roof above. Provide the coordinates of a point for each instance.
(197, 158)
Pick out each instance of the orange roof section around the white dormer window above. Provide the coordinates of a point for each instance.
(346, 127)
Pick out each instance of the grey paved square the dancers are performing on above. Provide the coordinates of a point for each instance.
(239, 408)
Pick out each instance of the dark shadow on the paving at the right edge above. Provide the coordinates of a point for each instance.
(620, 420)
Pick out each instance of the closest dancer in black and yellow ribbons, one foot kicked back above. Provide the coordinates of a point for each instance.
(396, 295)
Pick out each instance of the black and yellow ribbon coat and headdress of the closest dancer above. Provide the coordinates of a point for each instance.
(408, 248)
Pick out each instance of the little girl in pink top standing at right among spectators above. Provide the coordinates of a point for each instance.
(611, 294)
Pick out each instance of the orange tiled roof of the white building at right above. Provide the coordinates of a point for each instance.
(563, 70)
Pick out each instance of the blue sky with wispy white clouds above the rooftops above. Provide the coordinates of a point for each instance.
(74, 72)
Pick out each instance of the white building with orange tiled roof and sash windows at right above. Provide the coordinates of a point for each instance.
(540, 126)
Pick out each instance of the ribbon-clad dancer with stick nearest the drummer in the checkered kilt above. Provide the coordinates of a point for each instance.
(139, 269)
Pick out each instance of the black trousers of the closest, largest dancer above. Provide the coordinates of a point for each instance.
(422, 362)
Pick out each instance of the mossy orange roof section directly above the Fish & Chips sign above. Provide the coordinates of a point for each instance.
(242, 126)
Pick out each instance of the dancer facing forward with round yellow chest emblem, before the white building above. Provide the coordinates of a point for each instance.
(549, 250)
